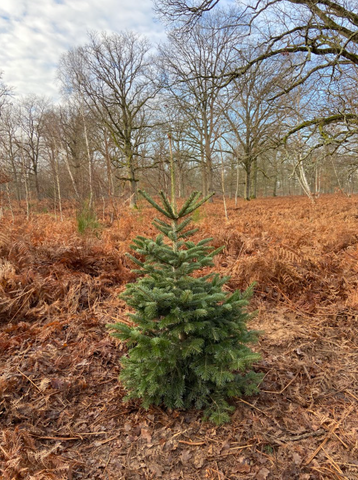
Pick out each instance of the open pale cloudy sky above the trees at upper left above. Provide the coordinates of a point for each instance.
(35, 33)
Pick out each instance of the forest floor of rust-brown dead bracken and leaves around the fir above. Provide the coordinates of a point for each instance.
(61, 409)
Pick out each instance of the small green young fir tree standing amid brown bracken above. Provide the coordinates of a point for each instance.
(188, 346)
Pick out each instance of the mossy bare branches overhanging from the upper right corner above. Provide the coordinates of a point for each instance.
(320, 36)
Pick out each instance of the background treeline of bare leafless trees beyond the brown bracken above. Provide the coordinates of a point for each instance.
(233, 117)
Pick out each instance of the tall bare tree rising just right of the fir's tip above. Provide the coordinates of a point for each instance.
(192, 66)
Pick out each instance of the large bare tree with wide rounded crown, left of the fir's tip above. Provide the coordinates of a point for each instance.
(112, 76)
